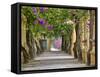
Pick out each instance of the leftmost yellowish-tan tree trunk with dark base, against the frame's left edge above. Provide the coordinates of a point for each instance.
(24, 48)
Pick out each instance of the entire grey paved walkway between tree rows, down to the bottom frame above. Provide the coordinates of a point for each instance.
(52, 60)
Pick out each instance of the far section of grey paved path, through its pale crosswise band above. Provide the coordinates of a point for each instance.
(54, 55)
